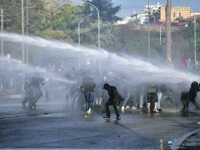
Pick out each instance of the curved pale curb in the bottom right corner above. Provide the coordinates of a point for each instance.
(177, 142)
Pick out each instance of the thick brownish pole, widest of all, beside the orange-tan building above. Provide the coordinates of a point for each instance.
(168, 28)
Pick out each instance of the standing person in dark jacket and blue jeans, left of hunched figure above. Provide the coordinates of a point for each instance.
(88, 86)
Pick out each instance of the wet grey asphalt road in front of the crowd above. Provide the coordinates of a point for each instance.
(55, 125)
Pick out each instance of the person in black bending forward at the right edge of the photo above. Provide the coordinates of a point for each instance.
(186, 97)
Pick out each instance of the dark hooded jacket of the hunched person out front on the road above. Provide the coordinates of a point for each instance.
(115, 97)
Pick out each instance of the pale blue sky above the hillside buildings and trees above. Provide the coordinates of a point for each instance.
(130, 7)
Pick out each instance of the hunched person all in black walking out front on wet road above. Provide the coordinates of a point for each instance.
(114, 99)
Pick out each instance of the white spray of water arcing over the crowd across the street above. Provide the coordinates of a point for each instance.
(125, 72)
